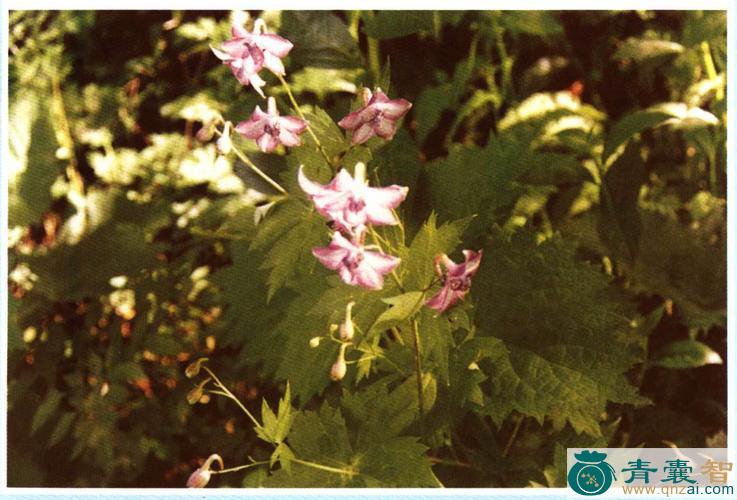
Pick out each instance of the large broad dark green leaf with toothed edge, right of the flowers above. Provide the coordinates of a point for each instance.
(550, 322)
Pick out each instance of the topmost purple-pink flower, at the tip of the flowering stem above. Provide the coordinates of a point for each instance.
(246, 53)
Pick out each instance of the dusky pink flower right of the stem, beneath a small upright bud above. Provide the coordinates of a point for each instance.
(378, 116)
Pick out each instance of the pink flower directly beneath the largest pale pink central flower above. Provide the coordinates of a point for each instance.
(355, 264)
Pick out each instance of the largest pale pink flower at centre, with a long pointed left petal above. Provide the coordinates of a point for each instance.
(350, 203)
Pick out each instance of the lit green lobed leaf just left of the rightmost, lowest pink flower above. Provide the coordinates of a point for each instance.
(432, 240)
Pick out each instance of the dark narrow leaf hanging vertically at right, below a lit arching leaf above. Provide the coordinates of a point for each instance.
(620, 224)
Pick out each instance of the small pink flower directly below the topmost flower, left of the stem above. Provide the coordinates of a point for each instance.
(269, 129)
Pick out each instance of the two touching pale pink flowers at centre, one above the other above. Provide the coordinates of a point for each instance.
(351, 205)
